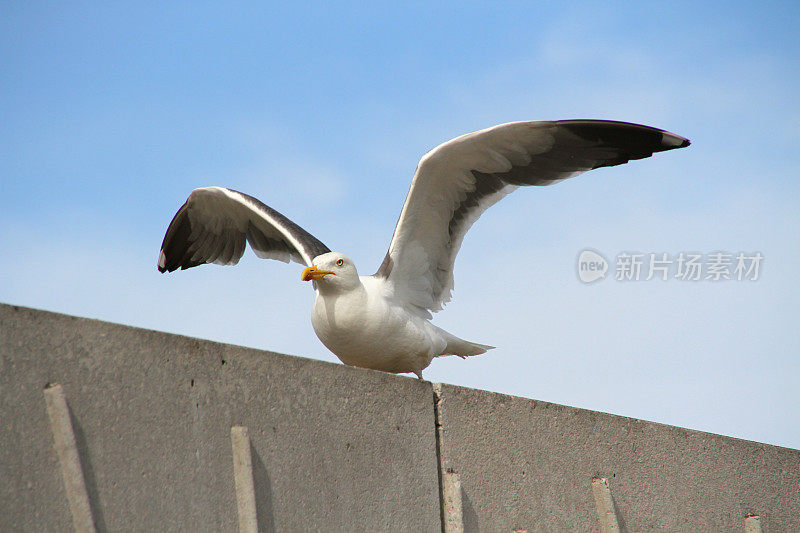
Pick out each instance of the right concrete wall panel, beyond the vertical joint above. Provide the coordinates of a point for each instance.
(529, 465)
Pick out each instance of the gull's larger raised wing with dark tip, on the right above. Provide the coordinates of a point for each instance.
(458, 180)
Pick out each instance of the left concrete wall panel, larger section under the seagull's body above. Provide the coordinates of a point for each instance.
(334, 448)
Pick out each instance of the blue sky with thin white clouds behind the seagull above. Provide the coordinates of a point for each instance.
(110, 114)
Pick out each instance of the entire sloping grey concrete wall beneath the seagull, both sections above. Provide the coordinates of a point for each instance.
(336, 448)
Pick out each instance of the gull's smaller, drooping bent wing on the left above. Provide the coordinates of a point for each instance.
(214, 224)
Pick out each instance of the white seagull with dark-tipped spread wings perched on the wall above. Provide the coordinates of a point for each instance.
(382, 321)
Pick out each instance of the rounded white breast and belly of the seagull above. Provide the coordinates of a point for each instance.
(364, 330)
